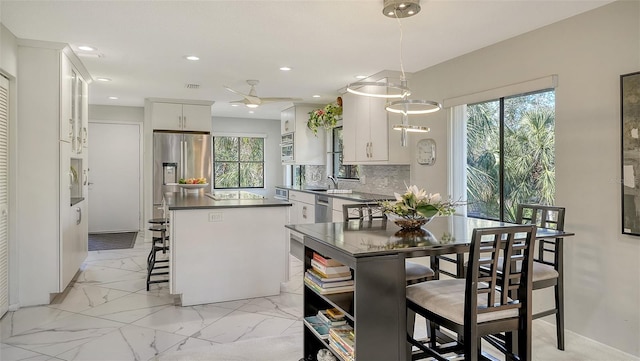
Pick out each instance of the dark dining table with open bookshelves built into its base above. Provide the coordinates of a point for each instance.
(376, 251)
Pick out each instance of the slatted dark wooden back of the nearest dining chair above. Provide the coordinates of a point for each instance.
(491, 287)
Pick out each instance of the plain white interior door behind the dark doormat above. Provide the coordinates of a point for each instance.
(114, 177)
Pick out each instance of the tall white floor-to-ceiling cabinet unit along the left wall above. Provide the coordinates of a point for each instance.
(45, 142)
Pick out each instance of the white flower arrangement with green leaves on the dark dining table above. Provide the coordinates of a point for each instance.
(416, 204)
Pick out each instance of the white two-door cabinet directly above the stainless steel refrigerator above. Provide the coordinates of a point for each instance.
(181, 116)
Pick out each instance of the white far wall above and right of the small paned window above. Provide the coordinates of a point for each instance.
(272, 163)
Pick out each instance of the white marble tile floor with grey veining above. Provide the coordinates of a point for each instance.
(107, 314)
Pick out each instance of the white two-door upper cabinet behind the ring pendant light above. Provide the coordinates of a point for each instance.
(367, 132)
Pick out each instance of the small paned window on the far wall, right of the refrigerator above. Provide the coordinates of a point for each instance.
(238, 162)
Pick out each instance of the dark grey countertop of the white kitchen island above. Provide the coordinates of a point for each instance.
(183, 201)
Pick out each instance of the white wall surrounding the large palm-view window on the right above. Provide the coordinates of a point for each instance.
(588, 52)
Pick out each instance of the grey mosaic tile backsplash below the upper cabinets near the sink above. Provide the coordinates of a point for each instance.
(377, 179)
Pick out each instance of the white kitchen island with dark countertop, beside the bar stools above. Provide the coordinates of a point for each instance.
(225, 246)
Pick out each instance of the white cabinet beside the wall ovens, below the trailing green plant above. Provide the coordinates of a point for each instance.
(308, 148)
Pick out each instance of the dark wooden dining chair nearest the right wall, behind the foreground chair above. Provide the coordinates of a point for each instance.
(548, 260)
